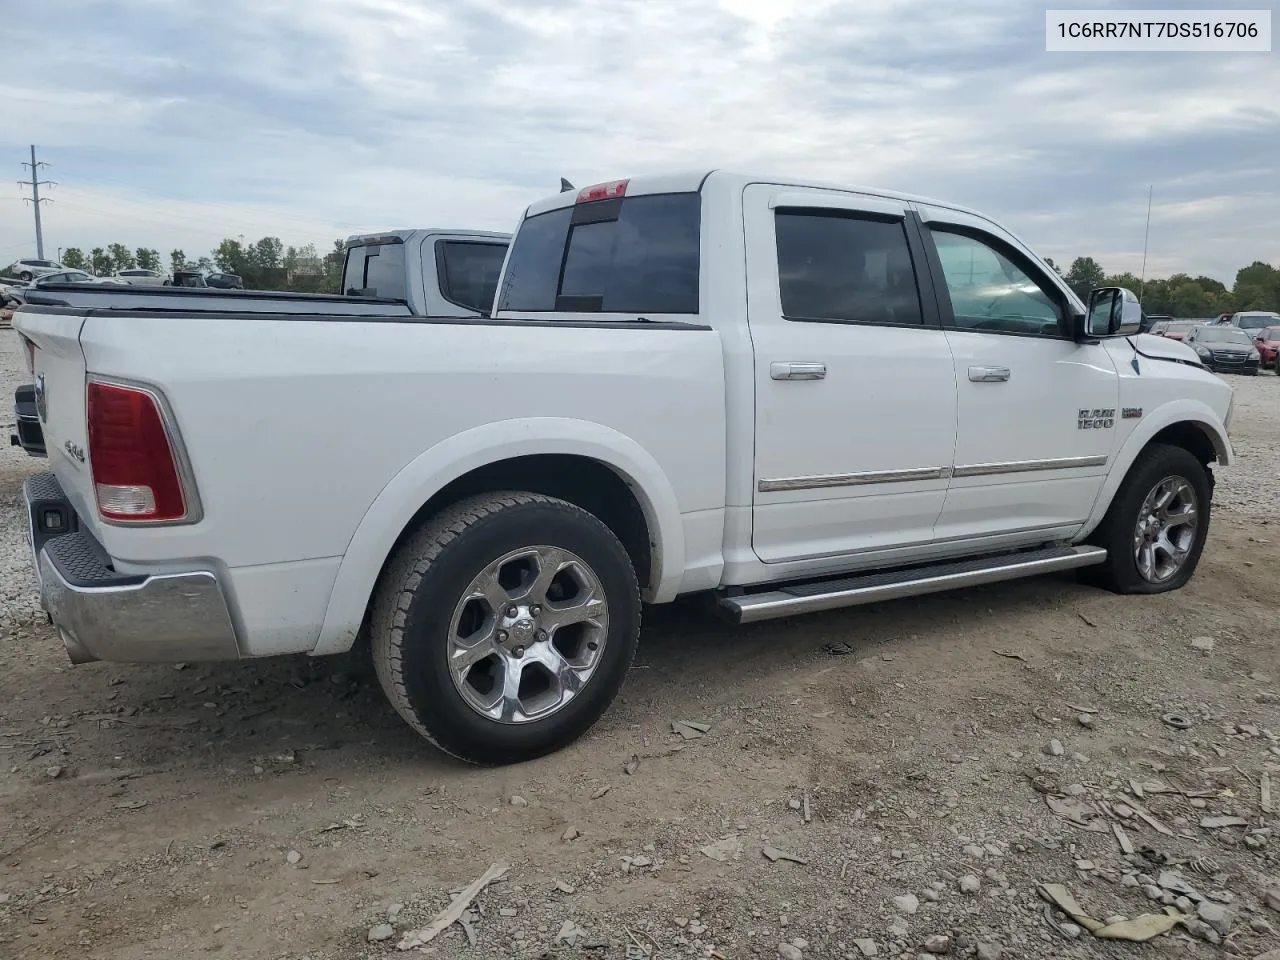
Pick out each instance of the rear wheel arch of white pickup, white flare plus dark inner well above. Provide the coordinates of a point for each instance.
(583, 463)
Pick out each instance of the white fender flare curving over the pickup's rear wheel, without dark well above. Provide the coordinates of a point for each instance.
(492, 444)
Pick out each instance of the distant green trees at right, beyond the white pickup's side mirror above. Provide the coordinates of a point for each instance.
(1258, 287)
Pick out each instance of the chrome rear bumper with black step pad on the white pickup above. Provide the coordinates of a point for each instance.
(103, 615)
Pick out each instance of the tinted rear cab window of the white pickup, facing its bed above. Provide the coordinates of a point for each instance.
(636, 255)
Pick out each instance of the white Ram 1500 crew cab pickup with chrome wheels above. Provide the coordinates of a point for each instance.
(784, 396)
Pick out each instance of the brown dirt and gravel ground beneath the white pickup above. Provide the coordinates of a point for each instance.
(280, 810)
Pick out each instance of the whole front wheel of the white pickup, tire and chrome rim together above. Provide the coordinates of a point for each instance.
(1155, 529)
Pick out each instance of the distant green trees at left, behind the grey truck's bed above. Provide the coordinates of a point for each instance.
(263, 266)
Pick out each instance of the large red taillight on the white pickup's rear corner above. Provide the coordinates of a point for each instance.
(135, 470)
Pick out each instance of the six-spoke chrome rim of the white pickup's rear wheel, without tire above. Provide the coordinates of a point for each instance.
(528, 634)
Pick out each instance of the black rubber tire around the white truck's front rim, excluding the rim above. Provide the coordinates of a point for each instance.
(1156, 464)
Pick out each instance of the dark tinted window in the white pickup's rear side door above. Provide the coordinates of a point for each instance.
(845, 268)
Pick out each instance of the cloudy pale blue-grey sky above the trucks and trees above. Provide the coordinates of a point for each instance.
(173, 124)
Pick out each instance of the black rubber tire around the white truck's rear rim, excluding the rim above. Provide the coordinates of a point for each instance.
(426, 582)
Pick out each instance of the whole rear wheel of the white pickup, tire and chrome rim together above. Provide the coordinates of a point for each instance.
(506, 627)
